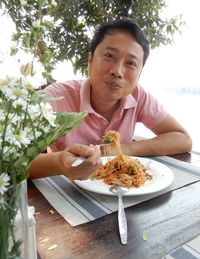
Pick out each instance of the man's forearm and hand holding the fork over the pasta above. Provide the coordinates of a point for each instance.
(60, 163)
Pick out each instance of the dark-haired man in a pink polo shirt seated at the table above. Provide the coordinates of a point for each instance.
(114, 100)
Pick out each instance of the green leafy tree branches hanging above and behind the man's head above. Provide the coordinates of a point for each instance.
(66, 26)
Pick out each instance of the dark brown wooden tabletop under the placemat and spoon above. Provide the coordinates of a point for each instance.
(166, 222)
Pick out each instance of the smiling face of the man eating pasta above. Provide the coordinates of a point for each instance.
(115, 67)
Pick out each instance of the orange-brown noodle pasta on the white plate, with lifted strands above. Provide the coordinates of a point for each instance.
(122, 170)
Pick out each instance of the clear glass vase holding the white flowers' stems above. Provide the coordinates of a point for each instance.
(14, 225)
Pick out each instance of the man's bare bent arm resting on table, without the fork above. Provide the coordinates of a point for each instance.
(171, 138)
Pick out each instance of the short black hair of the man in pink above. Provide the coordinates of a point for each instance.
(122, 24)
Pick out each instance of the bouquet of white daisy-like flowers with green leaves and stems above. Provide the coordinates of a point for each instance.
(27, 126)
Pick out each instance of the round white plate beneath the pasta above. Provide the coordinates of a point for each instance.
(162, 178)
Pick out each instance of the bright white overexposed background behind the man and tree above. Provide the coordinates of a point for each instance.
(171, 72)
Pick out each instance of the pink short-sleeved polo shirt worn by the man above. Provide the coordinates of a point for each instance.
(139, 106)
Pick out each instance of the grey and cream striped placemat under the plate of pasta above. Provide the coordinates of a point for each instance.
(79, 206)
